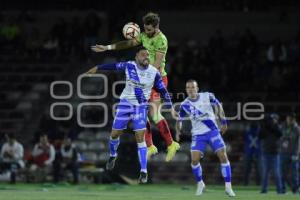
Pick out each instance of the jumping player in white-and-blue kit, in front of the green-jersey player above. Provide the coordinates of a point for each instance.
(133, 105)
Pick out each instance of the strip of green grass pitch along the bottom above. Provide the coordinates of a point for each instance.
(129, 192)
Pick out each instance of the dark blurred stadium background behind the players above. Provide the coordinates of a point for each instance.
(242, 50)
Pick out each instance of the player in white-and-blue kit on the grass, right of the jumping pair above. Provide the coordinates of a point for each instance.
(205, 113)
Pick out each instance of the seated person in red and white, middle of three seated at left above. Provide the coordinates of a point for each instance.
(43, 156)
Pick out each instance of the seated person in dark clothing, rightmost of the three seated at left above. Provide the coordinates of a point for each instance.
(68, 160)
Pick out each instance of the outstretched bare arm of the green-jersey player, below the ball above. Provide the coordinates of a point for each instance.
(125, 44)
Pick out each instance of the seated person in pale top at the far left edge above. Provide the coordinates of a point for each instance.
(11, 157)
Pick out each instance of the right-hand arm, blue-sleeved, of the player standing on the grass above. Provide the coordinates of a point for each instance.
(219, 112)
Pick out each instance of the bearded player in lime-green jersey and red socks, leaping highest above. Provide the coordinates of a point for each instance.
(156, 43)
